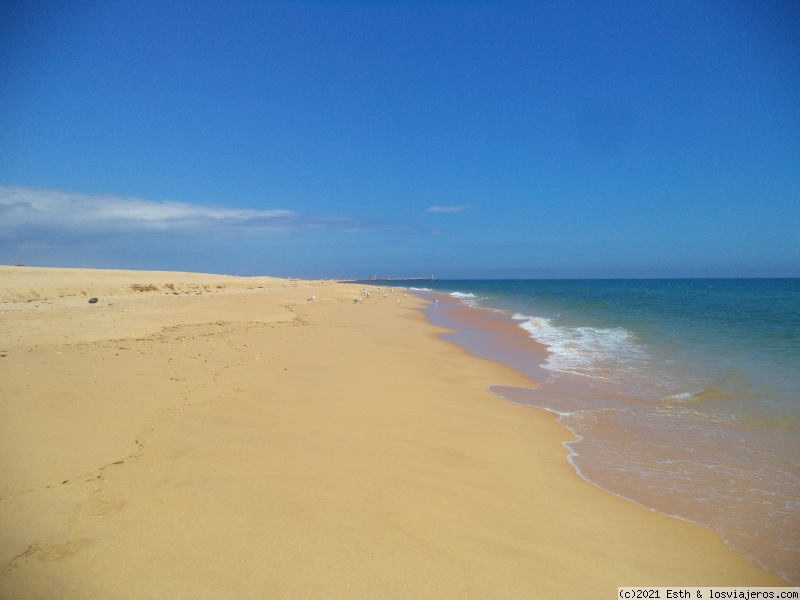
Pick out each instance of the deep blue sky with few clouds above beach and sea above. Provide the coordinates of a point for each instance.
(351, 139)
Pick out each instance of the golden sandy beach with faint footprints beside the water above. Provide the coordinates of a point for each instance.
(204, 436)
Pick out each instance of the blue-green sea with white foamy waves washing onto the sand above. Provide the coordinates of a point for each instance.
(684, 394)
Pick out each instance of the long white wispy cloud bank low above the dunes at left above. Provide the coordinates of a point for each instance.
(26, 212)
